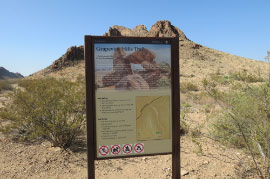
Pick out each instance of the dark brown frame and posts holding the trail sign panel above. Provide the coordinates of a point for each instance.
(91, 99)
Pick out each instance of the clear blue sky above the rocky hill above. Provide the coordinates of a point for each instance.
(34, 33)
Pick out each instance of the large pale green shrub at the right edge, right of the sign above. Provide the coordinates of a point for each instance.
(247, 113)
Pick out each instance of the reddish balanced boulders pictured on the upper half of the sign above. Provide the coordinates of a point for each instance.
(122, 75)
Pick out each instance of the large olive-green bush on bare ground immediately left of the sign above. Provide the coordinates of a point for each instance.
(48, 108)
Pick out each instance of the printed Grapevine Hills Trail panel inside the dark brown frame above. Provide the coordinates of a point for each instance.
(133, 97)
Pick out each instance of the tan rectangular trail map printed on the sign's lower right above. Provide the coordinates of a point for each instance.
(153, 117)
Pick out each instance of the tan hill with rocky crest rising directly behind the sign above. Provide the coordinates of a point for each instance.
(196, 61)
